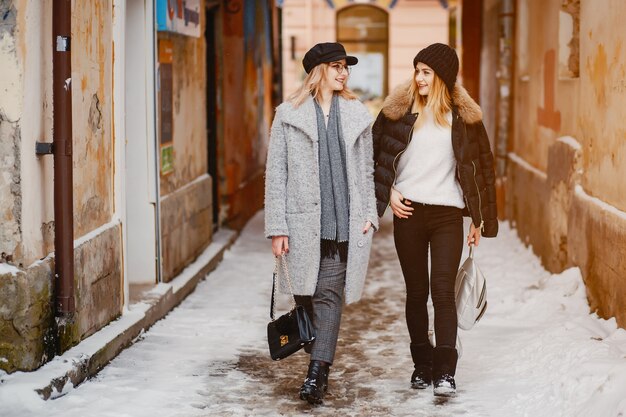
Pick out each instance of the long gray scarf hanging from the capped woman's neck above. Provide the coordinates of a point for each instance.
(333, 175)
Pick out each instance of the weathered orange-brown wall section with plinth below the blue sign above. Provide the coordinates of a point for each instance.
(186, 203)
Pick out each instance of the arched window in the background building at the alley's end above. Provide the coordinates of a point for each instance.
(364, 31)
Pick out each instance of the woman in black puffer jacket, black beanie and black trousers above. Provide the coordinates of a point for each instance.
(433, 164)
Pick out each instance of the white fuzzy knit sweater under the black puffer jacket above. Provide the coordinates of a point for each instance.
(426, 171)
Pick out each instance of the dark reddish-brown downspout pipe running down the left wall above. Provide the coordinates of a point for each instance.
(62, 150)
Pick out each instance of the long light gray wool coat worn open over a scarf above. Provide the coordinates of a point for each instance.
(292, 193)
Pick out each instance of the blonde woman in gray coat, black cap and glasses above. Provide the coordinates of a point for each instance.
(320, 208)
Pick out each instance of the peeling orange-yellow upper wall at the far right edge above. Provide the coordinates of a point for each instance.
(602, 104)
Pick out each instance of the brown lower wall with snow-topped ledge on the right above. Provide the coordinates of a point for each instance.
(566, 227)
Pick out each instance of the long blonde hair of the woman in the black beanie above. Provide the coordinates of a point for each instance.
(438, 102)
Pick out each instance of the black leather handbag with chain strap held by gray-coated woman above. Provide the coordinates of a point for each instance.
(292, 331)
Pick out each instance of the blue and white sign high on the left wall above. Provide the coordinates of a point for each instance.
(179, 16)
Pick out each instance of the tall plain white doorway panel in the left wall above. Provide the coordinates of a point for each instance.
(141, 181)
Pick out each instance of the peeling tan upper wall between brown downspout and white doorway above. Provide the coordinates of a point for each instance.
(92, 100)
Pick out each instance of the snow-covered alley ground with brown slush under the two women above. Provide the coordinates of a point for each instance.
(536, 352)
